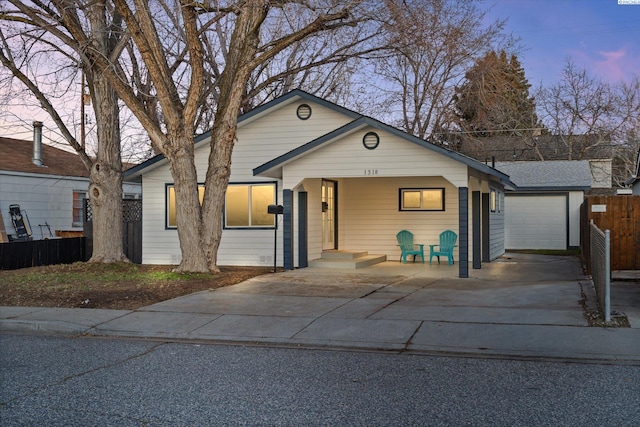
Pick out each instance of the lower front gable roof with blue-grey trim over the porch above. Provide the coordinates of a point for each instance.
(363, 121)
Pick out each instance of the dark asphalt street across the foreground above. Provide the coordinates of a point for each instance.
(63, 381)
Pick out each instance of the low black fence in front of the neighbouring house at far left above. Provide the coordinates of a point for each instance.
(34, 253)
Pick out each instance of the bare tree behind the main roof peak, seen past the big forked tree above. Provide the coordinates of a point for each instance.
(324, 63)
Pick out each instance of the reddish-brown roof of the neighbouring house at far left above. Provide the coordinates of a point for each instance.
(16, 155)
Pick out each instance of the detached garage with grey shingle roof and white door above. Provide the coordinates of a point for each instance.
(544, 212)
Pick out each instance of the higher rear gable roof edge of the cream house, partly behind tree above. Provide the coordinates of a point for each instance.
(257, 112)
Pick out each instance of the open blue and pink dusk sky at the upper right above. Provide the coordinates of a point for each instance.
(599, 35)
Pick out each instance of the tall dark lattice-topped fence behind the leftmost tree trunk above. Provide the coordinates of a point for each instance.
(131, 229)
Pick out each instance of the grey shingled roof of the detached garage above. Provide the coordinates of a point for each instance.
(552, 175)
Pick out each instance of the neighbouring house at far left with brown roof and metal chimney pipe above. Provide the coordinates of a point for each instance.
(48, 184)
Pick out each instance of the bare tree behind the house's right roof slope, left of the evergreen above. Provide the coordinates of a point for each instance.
(434, 43)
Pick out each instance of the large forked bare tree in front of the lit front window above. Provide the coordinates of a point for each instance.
(177, 78)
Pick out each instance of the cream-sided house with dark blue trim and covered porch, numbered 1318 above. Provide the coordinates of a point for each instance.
(346, 182)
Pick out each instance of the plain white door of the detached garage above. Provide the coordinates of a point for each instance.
(536, 222)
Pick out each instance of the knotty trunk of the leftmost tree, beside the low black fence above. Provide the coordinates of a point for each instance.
(105, 182)
